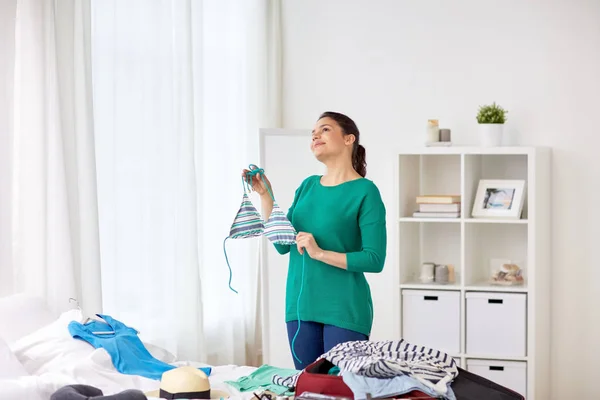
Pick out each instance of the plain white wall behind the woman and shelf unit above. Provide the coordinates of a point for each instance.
(393, 64)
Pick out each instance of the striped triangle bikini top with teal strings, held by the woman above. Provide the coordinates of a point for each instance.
(249, 223)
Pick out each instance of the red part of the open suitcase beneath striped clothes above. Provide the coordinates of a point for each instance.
(316, 379)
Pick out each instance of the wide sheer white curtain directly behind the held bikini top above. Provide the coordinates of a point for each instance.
(181, 88)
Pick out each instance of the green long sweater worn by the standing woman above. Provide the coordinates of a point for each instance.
(347, 218)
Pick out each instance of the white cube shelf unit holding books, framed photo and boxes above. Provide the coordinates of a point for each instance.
(468, 243)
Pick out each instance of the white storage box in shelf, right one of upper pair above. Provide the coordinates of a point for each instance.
(496, 324)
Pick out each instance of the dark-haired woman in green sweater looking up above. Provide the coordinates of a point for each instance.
(340, 220)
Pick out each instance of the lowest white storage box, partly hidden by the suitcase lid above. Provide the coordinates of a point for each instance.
(510, 374)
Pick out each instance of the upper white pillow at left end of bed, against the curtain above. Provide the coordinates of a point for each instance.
(22, 314)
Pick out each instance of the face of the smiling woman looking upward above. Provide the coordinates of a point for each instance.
(328, 140)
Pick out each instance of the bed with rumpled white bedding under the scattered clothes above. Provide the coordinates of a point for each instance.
(38, 356)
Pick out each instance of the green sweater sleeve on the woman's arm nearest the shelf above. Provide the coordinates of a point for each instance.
(371, 220)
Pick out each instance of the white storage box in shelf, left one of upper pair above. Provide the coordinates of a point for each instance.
(432, 318)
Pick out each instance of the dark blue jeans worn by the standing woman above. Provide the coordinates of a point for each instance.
(314, 339)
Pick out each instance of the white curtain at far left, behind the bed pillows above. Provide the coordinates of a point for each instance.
(49, 236)
